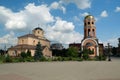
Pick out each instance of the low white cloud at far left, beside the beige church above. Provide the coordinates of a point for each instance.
(8, 40)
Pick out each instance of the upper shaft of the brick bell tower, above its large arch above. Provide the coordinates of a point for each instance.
(89, 27)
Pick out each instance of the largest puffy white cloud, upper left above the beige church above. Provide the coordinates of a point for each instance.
(23, 19)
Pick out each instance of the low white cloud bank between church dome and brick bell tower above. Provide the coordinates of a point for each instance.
(65, 38)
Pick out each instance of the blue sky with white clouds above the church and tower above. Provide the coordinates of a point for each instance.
(62, 20)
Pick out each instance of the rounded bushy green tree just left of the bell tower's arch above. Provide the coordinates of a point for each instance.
(72, 52)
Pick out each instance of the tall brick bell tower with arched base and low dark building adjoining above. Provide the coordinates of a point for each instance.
(90, 40)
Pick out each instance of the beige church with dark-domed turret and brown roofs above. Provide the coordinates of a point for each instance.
(29, 42)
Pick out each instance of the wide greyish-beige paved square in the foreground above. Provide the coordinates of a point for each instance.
(85, 70)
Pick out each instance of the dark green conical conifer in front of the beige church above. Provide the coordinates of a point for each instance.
(38, 52)
